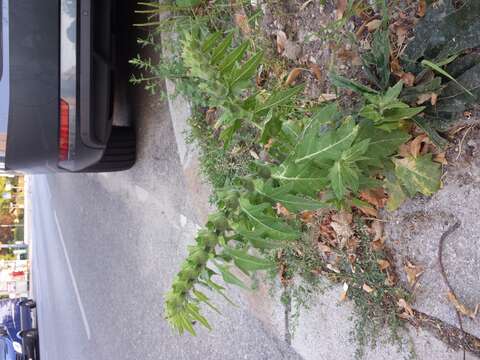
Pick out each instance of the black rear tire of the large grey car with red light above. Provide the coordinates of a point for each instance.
(120, 153)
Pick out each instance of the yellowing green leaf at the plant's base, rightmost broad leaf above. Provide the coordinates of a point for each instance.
(419, 174)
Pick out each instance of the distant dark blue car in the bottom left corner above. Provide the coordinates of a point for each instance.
(18, 337)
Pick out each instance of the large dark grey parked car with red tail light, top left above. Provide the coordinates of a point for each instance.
(60, 83)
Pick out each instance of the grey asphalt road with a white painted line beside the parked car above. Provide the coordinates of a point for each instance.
(105, 249)
